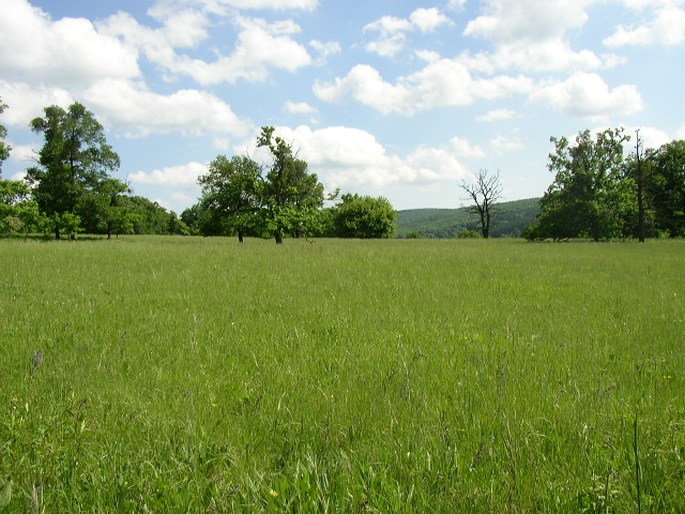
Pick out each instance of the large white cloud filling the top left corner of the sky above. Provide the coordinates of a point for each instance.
(66, 52)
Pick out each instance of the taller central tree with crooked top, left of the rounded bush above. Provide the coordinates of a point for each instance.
(291, 195)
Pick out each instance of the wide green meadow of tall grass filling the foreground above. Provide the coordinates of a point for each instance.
(198, 375)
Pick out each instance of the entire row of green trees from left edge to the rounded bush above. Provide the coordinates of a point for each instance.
(71, 189)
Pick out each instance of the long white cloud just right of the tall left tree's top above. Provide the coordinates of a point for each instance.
(140, 112)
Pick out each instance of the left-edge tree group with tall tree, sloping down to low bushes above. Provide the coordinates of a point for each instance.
(70, 188)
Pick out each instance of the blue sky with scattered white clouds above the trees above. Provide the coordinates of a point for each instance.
(394, 98)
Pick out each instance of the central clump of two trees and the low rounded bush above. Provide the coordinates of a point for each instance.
(244, 198)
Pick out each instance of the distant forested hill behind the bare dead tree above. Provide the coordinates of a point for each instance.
(514, 217)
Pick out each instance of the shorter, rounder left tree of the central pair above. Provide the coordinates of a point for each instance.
(231, 196)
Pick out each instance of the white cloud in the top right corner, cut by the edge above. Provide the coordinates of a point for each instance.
(667, 27)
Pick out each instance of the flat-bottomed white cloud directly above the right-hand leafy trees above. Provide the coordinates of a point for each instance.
(587, 95)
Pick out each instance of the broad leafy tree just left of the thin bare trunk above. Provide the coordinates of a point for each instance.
(588, 197)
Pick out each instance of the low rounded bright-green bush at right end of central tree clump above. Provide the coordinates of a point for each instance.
(364, 217)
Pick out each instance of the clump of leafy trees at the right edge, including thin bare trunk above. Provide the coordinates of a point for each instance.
(600, 193)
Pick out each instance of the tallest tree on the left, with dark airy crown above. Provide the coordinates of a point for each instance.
(73, 163)
